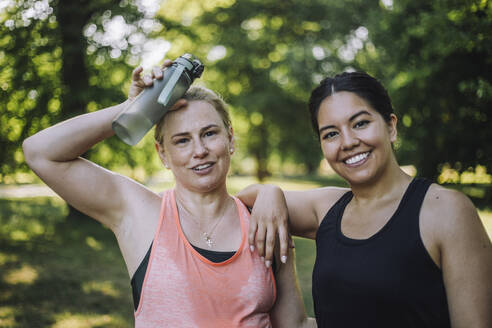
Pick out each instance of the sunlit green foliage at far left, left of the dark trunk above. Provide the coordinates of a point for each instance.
(29, 63)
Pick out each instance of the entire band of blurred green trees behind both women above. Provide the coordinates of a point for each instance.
(59, 59)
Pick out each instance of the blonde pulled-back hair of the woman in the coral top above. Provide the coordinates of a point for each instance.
(196, 93)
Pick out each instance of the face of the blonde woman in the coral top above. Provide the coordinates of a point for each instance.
(197, 147)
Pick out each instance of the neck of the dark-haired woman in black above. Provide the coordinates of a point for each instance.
(391, 182)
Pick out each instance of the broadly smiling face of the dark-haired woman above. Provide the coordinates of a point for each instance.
(355, 139)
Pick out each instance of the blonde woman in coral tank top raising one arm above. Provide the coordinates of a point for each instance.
(186, 250)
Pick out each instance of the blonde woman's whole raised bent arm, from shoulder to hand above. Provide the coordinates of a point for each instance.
(54, 155)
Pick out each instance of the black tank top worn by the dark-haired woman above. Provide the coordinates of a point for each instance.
(387, 280)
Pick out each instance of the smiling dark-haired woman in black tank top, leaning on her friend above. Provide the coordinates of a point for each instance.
(391, 251)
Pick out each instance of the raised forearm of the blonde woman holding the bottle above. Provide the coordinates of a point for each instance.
(71, 138)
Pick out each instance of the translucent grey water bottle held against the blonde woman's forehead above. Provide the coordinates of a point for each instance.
(153, 102)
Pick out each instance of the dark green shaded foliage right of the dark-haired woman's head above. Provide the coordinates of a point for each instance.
(435, 59)
